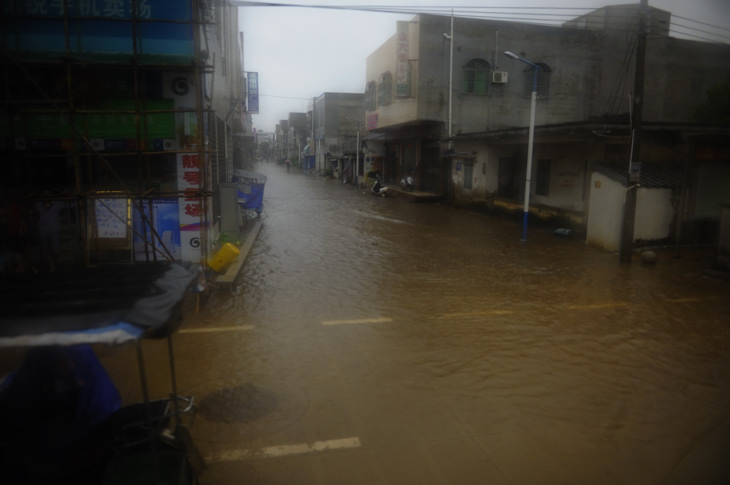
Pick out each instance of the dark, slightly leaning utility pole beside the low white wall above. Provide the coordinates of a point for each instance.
(627, 232)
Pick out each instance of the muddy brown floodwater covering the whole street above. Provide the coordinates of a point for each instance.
(377, 341)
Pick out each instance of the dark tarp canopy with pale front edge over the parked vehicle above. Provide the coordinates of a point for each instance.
(110, 304)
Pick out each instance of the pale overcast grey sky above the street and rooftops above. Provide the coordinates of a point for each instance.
(301, 53)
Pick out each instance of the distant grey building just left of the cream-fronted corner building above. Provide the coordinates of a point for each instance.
(337, 126)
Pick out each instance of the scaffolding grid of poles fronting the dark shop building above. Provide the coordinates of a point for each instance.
(91, 174)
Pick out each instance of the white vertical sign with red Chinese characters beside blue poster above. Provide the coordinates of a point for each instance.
(190, 206)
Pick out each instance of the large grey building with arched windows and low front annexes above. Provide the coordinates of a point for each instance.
(463, 133)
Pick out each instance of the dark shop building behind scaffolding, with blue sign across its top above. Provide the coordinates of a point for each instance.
(127, 114)
